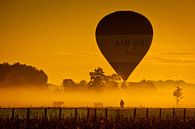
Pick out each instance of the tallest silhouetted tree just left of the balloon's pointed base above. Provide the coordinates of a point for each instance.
(97, 78)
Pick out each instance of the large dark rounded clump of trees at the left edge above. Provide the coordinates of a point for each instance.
(19, 74)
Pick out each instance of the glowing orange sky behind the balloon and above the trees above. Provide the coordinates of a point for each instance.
(58, 36)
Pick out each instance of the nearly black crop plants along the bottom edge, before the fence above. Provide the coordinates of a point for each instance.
(96, 123)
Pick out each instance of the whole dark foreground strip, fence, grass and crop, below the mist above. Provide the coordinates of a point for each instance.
(97, 118)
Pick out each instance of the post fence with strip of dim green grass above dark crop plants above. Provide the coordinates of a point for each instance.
(160, 113)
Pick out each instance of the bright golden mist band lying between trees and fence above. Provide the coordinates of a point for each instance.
(133, 97)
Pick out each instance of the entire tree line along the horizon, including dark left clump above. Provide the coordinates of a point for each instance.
(22, 74)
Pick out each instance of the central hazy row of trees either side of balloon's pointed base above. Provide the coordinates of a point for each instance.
(99, 80)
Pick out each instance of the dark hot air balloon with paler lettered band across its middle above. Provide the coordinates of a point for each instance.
(124, 38)
